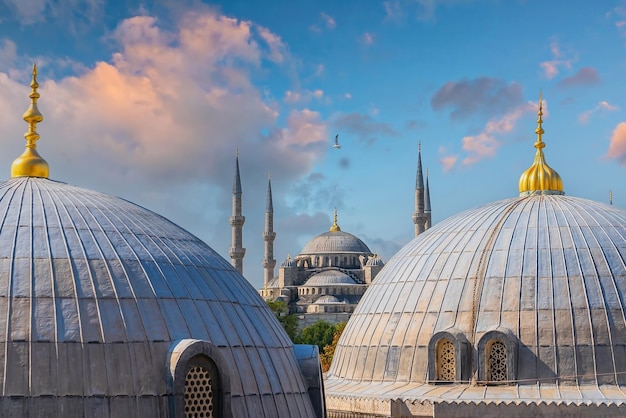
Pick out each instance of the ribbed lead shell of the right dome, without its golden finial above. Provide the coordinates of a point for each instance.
(545, 272)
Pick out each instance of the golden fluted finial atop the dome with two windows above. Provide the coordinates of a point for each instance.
(540, 178)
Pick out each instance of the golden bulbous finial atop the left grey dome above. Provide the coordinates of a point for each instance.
(30, 163)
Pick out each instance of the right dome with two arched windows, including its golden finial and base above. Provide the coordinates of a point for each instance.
(515, 308)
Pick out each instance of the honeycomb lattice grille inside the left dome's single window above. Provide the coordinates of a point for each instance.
(199, 393)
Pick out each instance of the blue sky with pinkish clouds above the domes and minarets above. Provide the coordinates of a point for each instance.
(148, 101)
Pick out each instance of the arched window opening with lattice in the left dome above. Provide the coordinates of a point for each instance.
(201, 390)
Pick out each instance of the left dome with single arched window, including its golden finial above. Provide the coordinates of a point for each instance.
(109, 309)
